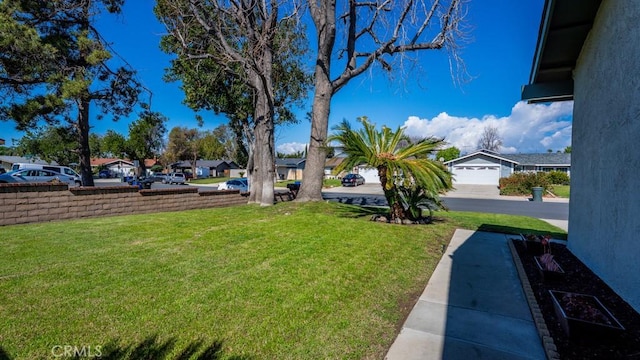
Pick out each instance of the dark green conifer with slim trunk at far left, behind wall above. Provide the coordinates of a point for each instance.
(54, 67)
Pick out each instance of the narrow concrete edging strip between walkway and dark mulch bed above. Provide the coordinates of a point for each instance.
(549, 346)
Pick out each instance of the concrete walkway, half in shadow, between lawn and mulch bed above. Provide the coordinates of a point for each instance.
(472, 308)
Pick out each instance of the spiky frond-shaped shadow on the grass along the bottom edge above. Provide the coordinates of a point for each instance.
(152, 348)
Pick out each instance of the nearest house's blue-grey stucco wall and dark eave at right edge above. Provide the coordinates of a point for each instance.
(588, 51)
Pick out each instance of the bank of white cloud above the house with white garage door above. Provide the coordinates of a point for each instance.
(528, 129)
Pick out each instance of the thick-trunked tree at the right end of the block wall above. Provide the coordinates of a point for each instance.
(228, 58)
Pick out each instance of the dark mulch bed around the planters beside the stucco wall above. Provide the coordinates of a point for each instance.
(579, 279)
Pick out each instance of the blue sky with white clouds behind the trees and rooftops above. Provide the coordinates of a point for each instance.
(426, 101)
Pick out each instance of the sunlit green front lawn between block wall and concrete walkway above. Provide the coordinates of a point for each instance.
(291, 281)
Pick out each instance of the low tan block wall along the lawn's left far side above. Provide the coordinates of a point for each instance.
(30, 203)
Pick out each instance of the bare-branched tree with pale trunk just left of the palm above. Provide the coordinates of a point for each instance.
(368, 33)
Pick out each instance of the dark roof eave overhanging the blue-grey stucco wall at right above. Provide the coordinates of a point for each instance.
(564, 28)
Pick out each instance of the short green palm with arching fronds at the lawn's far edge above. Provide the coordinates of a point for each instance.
(401, 162)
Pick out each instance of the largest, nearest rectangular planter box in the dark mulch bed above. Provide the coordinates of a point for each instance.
(582, 315)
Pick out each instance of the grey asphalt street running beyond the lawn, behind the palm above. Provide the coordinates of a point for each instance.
(541, 210)
